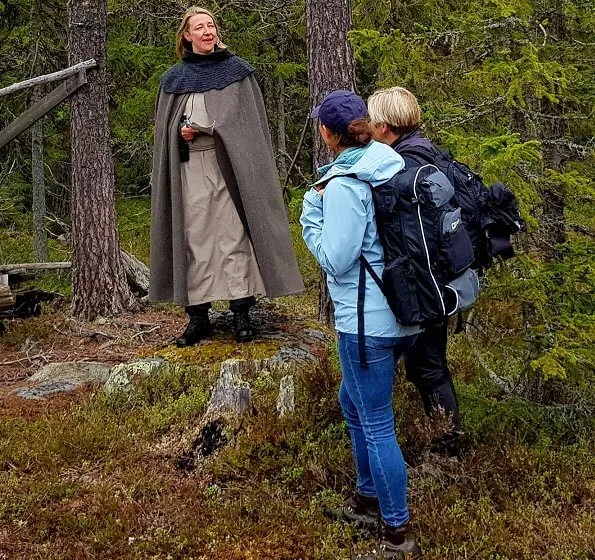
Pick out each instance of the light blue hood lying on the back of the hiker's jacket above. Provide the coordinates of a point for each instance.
(375, 163)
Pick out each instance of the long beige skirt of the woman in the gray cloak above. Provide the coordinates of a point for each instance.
(220, 256)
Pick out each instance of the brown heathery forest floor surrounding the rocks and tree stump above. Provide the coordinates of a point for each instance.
(86, 477)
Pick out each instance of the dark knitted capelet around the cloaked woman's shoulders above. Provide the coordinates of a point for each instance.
(199, 73)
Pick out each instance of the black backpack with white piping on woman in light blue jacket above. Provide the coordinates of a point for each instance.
(427, 249)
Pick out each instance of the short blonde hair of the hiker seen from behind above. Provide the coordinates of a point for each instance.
(395, 106)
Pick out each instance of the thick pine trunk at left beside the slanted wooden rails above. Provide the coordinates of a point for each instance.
(99, 282)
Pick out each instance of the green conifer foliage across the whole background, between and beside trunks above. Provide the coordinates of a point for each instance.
(507, 85)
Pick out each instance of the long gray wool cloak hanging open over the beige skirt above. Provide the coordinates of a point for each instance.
(245, 157)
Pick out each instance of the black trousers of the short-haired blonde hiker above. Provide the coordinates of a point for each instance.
(427, 368)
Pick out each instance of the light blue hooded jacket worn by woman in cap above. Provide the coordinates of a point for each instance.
(340, 226)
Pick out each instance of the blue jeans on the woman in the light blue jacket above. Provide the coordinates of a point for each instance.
(366, 399)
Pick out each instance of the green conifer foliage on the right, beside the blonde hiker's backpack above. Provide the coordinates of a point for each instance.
(508, 87)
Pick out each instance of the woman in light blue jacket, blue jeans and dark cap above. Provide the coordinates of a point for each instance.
(339, 226)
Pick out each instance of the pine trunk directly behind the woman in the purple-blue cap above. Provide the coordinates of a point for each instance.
(330, 67)
